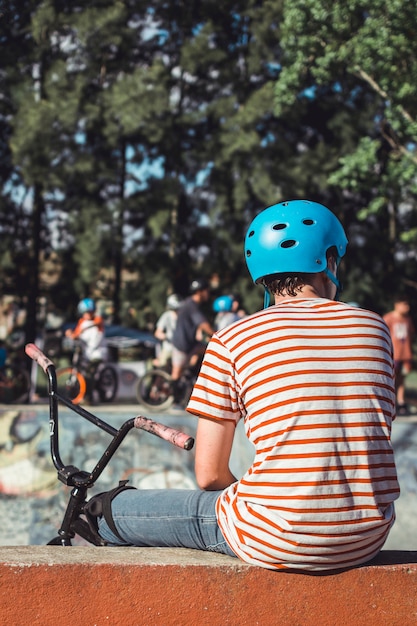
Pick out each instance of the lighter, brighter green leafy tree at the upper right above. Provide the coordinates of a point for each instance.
(367, 52)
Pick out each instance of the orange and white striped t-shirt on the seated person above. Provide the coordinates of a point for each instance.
(313, 381)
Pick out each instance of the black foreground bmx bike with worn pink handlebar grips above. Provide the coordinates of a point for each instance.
(75, 520)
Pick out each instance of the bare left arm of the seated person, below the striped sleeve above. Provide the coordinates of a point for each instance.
(213, 447)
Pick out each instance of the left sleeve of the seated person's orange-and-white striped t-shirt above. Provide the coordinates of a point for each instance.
(216, 391)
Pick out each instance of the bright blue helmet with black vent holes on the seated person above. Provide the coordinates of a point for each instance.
(292, 236)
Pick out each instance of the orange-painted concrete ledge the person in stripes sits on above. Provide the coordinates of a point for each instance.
(47, 585)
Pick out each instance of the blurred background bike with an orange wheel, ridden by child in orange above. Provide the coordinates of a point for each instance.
(72, 380)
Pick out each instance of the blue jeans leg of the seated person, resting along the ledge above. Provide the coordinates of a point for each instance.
(175, 518)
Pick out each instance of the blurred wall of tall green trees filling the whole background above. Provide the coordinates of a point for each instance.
(154, 132)
